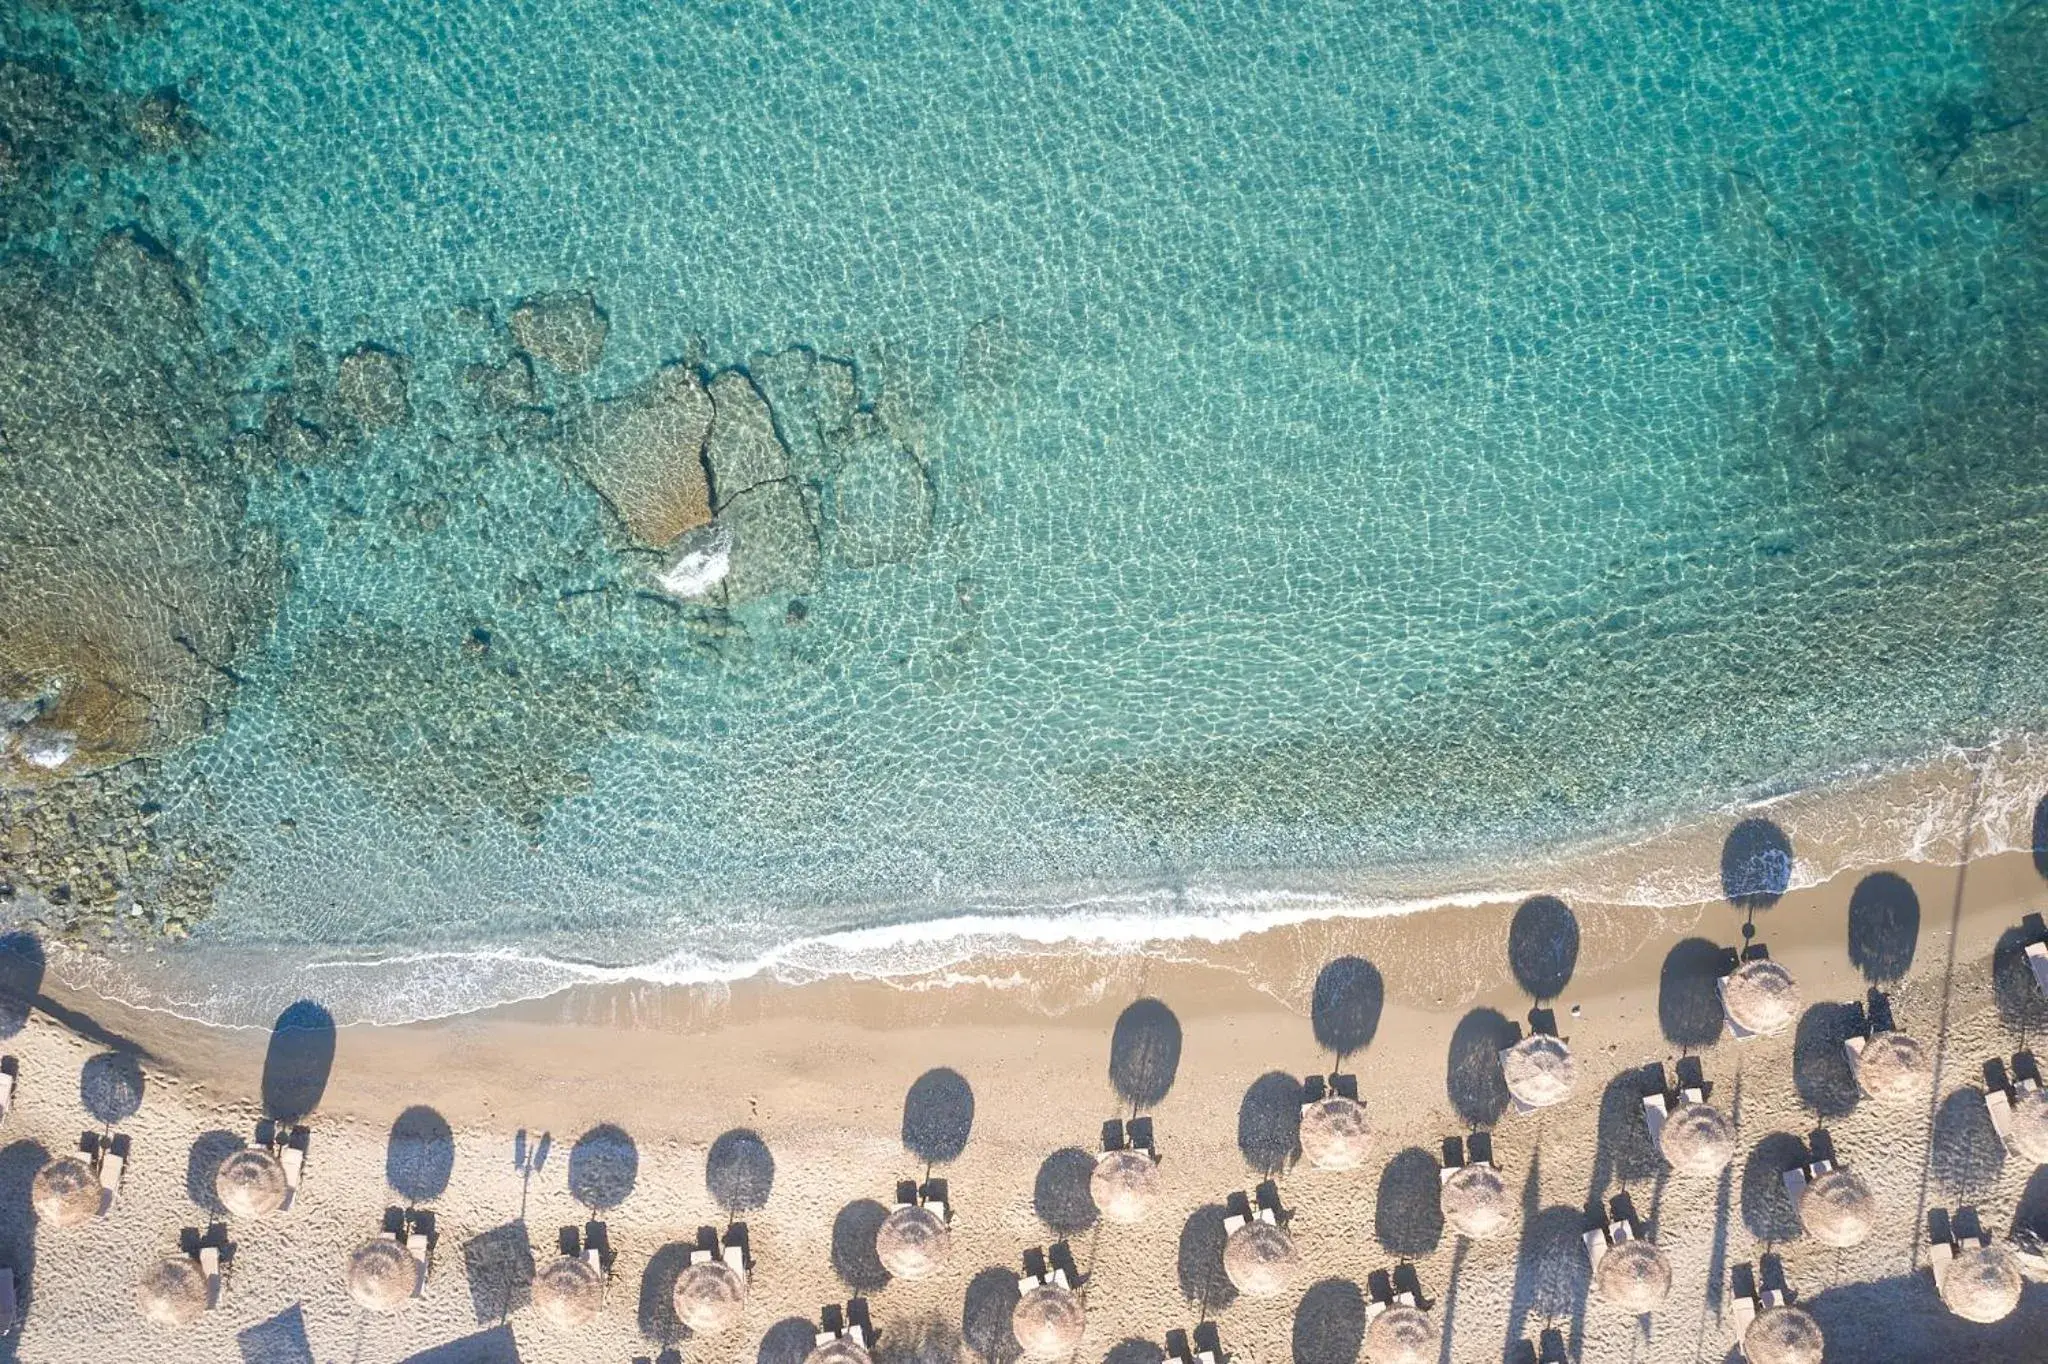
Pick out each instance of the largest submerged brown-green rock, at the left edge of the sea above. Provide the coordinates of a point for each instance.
(132, 579)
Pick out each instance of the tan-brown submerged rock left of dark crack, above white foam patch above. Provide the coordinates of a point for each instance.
(644, 456)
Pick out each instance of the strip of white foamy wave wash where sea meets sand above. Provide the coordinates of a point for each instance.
(1859, 818)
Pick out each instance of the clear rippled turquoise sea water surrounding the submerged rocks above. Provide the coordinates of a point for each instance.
(1363, 441)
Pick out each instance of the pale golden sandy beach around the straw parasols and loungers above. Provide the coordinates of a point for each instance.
(798, 1109)
